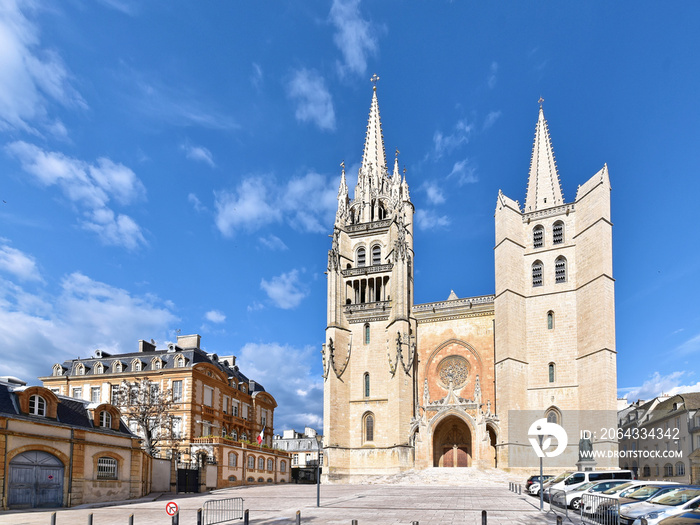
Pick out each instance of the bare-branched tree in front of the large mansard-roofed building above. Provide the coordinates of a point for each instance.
(148, 411)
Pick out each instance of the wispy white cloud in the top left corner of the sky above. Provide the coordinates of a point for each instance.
(30, 77)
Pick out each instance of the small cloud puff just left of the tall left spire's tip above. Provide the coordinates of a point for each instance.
(313, 100)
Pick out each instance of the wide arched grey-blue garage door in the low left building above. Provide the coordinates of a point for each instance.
(36, 480)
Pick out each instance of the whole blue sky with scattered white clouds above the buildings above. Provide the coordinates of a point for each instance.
(174, 166)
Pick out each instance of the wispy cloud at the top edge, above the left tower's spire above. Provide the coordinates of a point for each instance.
(355, 37)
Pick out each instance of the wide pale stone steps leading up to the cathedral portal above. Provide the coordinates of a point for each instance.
(457, 476)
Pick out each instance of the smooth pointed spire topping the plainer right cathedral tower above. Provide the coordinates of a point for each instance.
(543, 187)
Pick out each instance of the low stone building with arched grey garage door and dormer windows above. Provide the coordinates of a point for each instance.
(60, 451)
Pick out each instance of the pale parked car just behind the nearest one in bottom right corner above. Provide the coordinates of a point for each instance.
(671, 503)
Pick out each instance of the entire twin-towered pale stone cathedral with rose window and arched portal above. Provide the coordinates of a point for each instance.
(455, 383)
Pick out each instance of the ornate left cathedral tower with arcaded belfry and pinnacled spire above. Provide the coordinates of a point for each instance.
(368, 355)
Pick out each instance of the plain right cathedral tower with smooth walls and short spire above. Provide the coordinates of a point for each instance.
(554, 307)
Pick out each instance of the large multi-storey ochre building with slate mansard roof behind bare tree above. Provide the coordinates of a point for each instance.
(217, 413)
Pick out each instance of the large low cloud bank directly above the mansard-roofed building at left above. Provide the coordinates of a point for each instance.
(37, 331)
